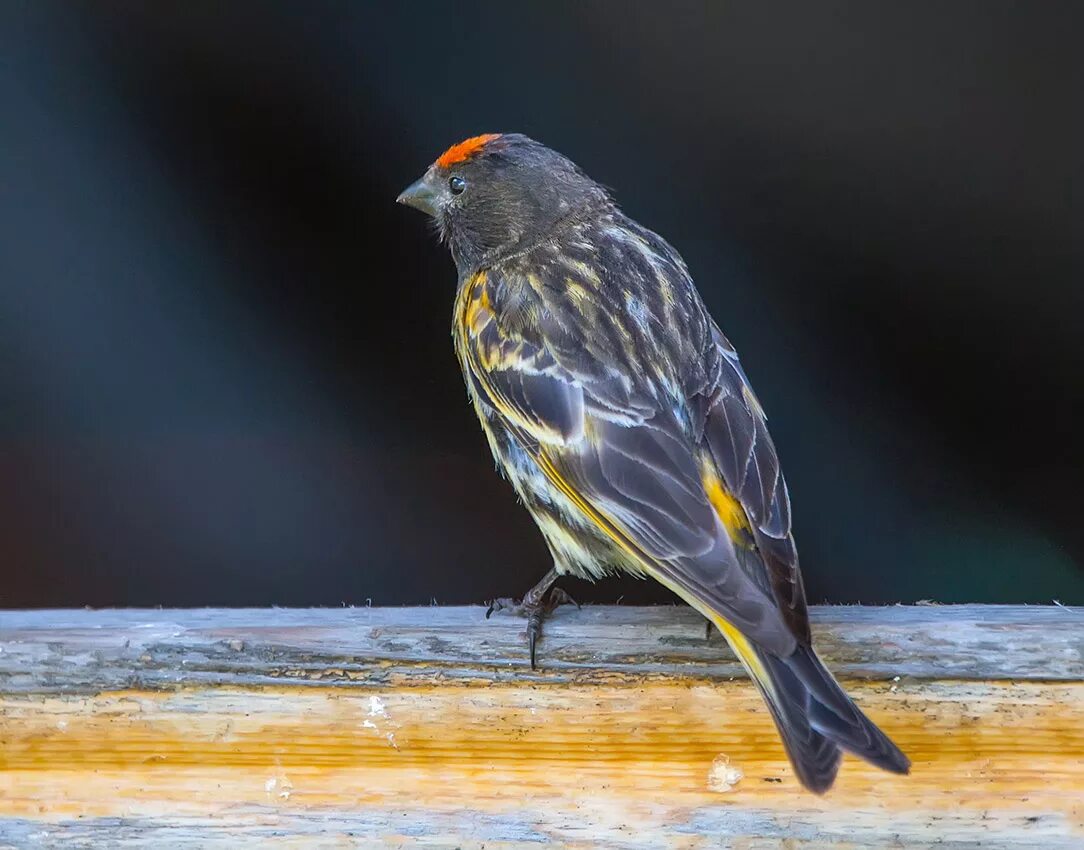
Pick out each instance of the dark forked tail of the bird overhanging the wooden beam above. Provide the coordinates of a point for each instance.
(817, 719)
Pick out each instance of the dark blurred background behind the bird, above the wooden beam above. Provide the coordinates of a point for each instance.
(226, 370)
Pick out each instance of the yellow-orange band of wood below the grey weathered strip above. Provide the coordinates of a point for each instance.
(649, 757)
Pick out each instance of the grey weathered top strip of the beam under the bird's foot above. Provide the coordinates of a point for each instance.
(89, 651)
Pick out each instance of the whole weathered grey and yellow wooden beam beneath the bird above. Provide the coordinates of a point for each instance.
(425, 728)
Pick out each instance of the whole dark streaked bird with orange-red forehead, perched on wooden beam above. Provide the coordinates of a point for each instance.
(627, 426)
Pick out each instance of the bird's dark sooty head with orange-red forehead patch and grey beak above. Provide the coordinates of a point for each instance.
(497, 195)
